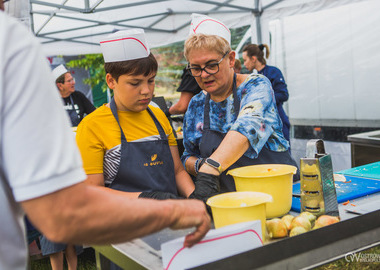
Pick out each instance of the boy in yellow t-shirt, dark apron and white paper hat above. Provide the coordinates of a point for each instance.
(126, 144)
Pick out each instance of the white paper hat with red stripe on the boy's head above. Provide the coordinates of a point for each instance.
(125, 45)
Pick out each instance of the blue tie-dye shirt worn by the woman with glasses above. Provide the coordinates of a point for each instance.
(258, 119)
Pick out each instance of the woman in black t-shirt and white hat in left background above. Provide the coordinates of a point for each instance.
(74, 102)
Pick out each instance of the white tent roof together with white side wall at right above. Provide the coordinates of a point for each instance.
(327, 49)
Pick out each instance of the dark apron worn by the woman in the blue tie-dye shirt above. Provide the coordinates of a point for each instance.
(211, 140)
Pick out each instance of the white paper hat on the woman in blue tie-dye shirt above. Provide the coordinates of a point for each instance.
(209, 26)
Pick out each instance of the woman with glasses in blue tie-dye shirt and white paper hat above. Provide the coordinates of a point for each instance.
(233, 122)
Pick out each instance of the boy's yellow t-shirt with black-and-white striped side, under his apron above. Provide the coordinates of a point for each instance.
(99, 141)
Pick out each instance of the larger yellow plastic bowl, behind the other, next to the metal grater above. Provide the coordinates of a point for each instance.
(273, 179)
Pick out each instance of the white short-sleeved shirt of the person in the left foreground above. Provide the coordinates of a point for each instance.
(38, 153)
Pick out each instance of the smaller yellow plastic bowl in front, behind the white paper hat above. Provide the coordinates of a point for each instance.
(235, 207)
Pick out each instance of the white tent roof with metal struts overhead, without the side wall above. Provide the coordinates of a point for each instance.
(72, 27)
